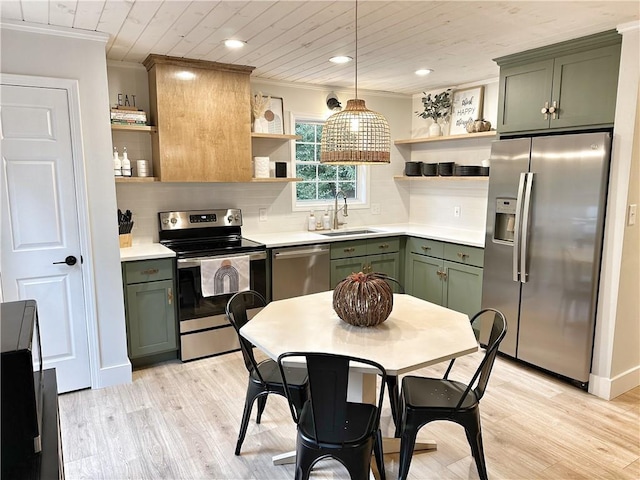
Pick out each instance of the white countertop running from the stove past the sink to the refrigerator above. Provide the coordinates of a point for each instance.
(445, 234)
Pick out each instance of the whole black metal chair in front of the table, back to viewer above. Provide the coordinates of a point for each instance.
(328, 424)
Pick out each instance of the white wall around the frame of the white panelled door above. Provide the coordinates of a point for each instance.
(42, 51)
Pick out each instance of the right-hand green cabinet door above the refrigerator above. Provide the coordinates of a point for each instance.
(584, 87)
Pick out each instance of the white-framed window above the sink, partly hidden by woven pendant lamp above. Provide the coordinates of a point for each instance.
(321, 182)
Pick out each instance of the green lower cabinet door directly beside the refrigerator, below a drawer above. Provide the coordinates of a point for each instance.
(463, 292)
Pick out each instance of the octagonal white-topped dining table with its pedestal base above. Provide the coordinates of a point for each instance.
(416, 334)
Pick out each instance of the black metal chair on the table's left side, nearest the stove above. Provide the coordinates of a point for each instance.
(264, 377)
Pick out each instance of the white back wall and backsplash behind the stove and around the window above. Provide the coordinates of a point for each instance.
(146, 200)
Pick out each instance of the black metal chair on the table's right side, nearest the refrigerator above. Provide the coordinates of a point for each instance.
(425, 400)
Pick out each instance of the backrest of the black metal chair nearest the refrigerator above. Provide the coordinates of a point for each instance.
(497, 333)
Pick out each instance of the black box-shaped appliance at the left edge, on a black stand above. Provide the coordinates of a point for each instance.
(22, 382)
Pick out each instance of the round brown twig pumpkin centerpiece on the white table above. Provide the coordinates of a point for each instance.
(363, 299)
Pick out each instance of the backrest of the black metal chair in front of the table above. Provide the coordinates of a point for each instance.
(328, 383)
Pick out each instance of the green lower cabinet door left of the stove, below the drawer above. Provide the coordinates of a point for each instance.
(151, 325)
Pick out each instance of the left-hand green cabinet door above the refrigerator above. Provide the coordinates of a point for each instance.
(523, 92)
